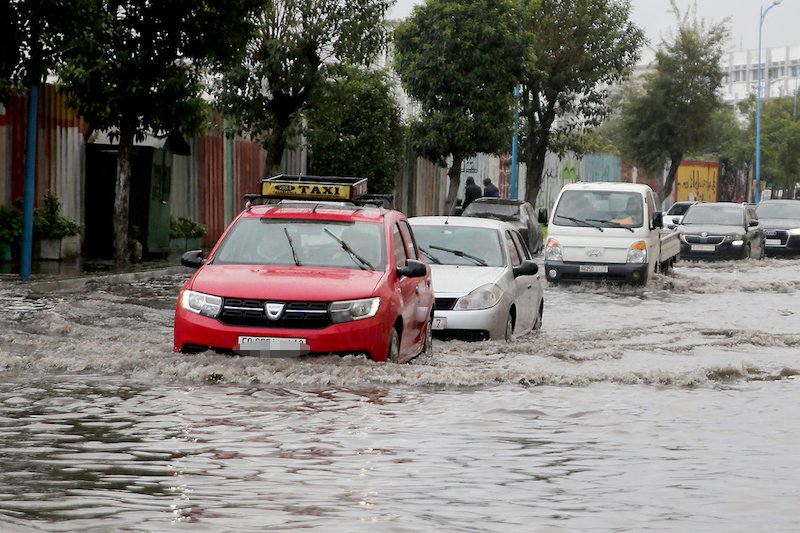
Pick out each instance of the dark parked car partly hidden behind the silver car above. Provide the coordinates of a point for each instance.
(518, 213)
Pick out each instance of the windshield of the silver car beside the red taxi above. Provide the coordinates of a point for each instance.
(460, 245)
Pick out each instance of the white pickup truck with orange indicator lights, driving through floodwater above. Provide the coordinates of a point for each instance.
(608, 232)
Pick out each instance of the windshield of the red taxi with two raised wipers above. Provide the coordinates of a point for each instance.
(317, 243)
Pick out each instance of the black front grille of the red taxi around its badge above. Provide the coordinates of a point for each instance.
(296, 315)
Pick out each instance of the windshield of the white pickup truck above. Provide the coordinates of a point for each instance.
(604, 209)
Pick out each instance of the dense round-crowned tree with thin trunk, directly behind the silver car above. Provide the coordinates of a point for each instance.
(460, 61)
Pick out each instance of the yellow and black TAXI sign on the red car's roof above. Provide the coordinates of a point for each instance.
(314, 187)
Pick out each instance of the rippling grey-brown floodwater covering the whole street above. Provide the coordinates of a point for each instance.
(667, 408)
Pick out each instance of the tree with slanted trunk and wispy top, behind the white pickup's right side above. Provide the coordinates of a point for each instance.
(673, 113)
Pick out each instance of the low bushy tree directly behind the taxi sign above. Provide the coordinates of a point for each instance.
(356, 129)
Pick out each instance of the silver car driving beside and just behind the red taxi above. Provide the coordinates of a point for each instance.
(485, 283)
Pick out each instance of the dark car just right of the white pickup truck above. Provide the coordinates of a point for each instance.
(721, 230)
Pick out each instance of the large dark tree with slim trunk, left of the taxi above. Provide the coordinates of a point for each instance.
(135, 67)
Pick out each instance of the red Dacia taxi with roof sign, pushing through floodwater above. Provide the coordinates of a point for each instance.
(309, 274)
